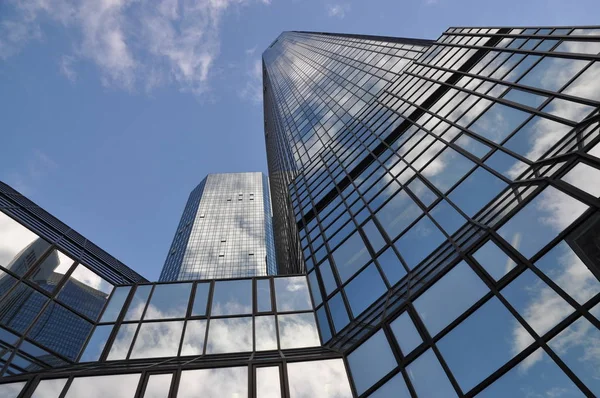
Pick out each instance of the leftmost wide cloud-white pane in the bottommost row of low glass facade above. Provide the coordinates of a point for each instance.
(114, 386)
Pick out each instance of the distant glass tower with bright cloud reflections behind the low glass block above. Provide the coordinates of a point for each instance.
(225, 231)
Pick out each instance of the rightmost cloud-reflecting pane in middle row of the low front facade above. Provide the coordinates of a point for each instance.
(298, 330)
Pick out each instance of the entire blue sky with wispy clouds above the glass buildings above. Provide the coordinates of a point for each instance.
(111, 111)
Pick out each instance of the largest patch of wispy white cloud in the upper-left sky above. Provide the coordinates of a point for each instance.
(134, 44)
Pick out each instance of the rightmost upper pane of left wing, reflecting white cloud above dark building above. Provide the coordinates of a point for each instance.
(86, 292)
